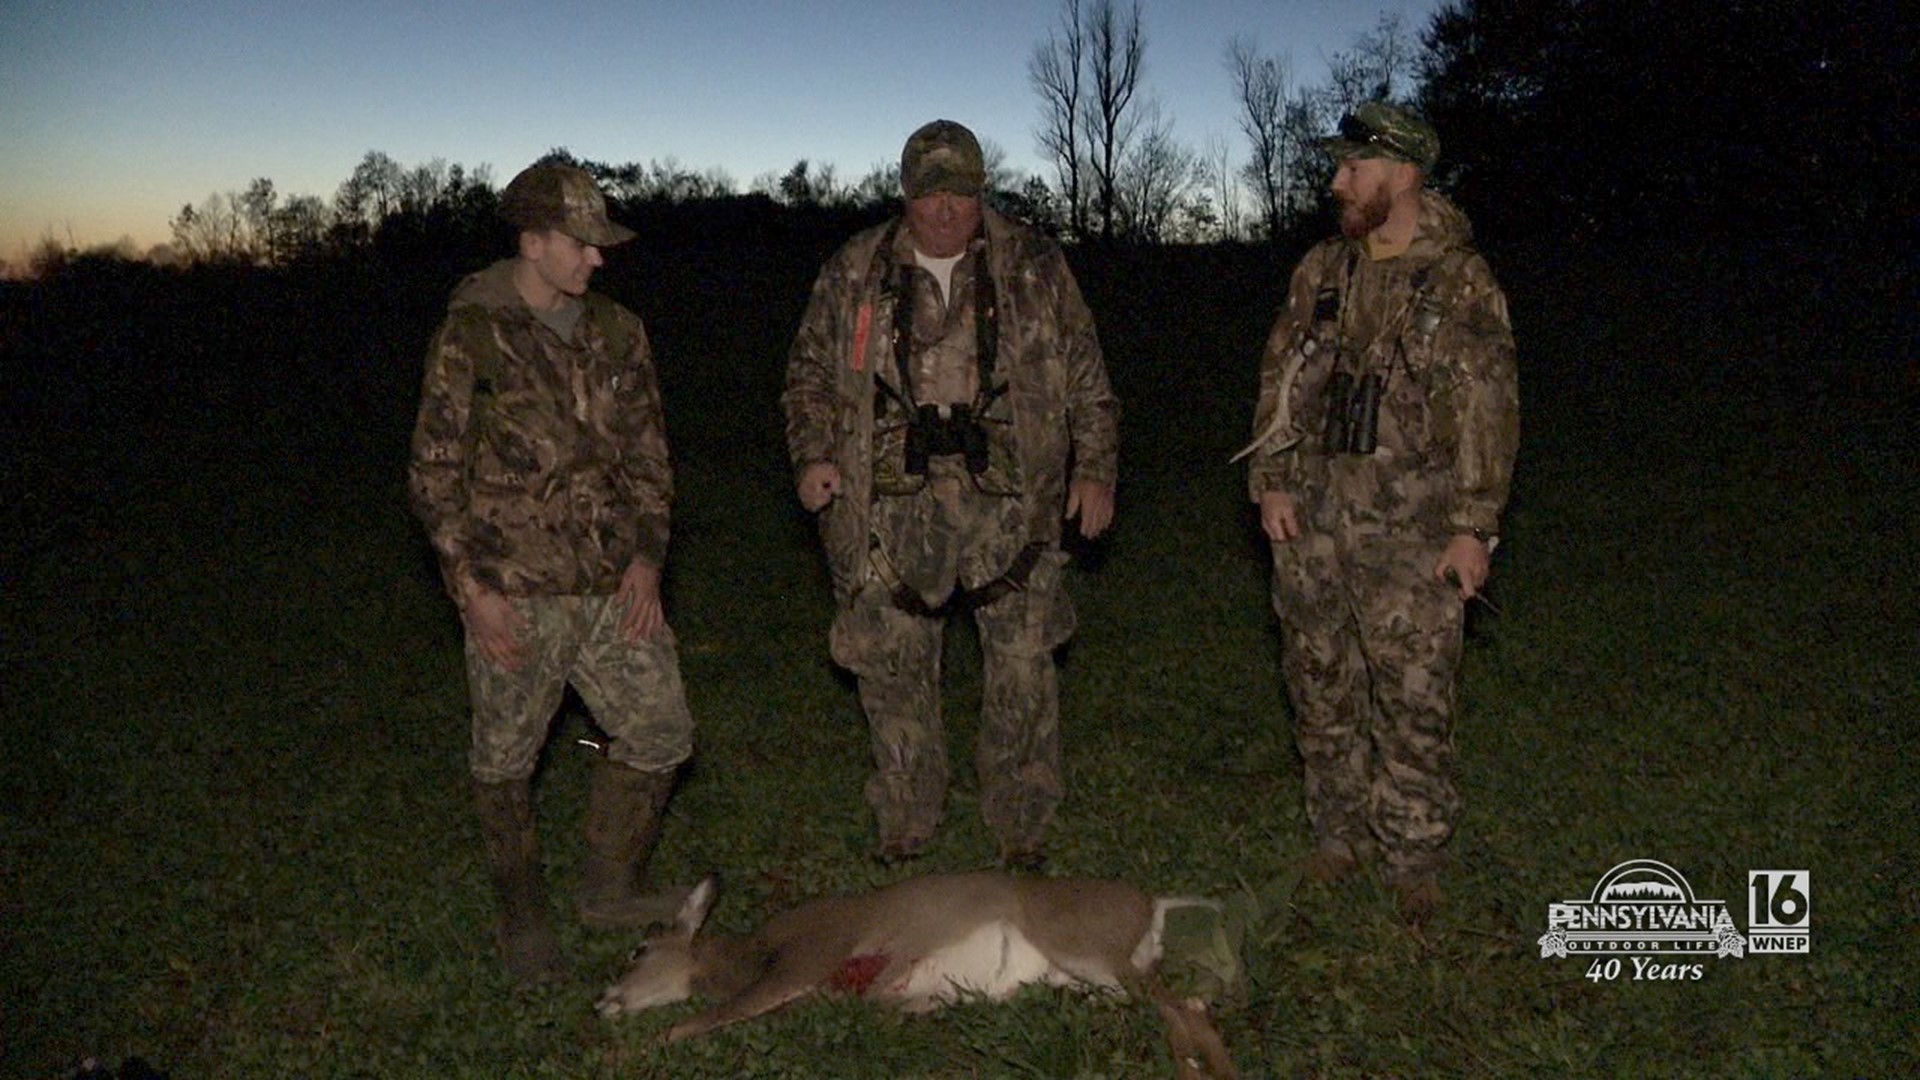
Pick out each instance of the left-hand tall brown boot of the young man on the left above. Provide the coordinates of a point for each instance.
(514, 860)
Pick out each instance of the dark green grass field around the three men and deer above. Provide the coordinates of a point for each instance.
(233, 822)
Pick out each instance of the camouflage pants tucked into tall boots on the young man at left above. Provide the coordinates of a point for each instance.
(633, 691)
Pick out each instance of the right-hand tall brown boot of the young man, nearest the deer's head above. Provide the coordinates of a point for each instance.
(625, 810)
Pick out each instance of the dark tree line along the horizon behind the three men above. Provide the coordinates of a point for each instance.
(1562, 118)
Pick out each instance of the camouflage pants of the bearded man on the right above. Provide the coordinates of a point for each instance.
(1372, 645)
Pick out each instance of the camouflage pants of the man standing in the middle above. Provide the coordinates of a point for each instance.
(944, 535)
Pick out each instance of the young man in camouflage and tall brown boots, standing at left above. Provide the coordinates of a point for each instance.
(540, 472)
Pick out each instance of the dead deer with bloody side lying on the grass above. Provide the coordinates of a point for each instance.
(921, 945)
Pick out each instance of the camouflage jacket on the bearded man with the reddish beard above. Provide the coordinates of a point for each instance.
(1433, 324)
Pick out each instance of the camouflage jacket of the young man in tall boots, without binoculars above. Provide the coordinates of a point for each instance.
(540, 464)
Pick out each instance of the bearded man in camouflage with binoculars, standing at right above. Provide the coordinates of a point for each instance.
(1387, 430)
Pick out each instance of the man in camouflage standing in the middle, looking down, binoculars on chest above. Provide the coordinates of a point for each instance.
(946, 406)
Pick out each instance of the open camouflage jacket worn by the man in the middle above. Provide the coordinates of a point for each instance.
(1059, 416)
